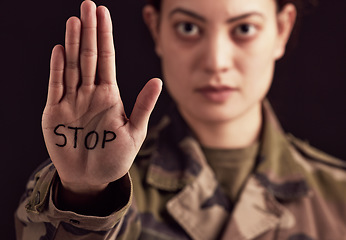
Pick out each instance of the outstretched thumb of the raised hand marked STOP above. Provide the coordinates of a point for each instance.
(145, 103)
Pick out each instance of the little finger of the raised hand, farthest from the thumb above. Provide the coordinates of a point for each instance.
(56, 78)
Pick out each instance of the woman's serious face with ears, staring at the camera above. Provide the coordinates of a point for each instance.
(218, 56)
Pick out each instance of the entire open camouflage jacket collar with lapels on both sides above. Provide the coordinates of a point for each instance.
(178, 163)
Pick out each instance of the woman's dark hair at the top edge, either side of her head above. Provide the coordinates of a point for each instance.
(302, 6)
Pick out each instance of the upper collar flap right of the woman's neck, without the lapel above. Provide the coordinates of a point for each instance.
(277, 167)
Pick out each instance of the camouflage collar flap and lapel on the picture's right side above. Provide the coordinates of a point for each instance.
(278, 178)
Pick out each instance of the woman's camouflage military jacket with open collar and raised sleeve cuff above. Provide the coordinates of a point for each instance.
(294, 193)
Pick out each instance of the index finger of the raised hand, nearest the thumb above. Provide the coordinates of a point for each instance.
(106, 53)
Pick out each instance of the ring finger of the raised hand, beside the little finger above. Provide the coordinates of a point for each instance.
(72, 45)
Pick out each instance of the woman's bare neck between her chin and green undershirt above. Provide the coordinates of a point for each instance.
(236, 133)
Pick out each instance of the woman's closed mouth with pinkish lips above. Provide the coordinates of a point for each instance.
(216, 94)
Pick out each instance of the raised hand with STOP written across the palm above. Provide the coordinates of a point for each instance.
(88, 136)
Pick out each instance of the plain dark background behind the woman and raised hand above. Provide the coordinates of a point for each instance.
(308, 92)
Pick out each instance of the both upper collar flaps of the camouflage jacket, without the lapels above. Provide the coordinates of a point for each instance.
(276, 169)
